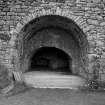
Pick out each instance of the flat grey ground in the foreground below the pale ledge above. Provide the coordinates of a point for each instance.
(54, 97)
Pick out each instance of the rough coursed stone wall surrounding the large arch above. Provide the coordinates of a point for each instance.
(89, 15)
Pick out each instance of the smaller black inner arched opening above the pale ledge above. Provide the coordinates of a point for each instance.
(51, 59)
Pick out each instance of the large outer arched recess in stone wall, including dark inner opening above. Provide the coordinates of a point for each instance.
(58, 34)
